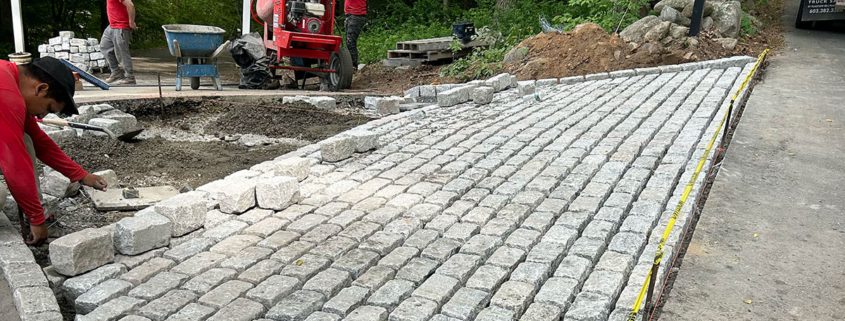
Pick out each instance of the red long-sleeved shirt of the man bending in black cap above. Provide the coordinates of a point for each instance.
(14, 160)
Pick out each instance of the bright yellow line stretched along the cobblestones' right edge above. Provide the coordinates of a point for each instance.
(658, 257)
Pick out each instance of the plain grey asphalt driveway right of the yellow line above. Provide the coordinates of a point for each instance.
(769, 244)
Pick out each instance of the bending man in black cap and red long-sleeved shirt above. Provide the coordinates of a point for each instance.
(28, 91)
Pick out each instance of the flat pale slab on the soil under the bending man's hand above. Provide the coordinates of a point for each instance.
(113, 200)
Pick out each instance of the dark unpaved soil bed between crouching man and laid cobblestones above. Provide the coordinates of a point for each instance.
(193, 142)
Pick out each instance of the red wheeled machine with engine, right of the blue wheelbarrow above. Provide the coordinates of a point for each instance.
(301, 36)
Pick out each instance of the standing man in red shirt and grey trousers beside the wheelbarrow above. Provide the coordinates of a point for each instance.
(115, 42)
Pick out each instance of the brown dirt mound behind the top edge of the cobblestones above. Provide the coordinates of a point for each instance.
(584, 50)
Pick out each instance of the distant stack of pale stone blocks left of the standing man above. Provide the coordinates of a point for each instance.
(82, 53)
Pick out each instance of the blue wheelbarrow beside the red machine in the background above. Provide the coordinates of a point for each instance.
(196, 49)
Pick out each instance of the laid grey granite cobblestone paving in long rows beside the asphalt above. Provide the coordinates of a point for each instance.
(532, 208)
